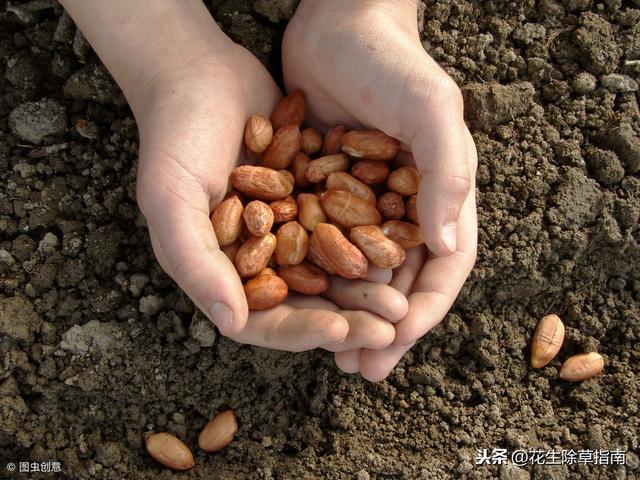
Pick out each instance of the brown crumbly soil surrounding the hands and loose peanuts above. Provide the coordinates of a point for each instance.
(98, 346)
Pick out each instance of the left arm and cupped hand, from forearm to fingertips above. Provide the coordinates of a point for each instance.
(191, 90)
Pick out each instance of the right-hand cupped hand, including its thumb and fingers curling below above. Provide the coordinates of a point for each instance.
(362, 64)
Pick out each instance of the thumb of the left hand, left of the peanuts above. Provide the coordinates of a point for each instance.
(185, 244)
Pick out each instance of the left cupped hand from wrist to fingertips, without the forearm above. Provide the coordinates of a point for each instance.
(191, 120)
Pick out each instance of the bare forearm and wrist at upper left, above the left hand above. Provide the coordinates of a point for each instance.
(145, 41)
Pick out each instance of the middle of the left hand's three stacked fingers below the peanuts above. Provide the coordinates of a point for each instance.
(366, 330)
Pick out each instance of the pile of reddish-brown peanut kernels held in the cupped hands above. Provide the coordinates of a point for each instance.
(314, 206)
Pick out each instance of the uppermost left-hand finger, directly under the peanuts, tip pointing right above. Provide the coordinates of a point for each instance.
(376, 298)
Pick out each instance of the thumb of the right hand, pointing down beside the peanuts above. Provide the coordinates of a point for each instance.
(439, 148)
